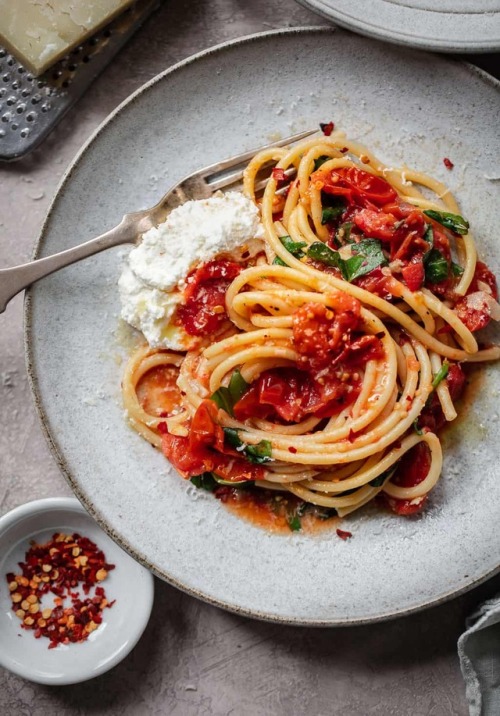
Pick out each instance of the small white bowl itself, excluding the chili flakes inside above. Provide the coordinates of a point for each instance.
(122, 625)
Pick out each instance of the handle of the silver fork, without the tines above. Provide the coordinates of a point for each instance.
(14, 280)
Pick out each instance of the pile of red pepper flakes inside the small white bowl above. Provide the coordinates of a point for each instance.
(58, 566)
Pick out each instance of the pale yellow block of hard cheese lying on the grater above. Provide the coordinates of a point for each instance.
(40, 32)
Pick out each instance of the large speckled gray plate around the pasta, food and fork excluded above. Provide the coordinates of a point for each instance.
(220, 102)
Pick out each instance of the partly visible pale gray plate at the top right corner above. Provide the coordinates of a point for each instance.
(445, 25)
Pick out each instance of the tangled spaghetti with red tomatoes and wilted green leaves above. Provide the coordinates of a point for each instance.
(334, 354)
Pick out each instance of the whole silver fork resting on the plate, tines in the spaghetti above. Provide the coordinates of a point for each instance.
(199, 185)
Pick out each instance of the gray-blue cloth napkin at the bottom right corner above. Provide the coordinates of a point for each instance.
(479, 652)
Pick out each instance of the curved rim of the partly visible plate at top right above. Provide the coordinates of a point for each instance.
(359, 25)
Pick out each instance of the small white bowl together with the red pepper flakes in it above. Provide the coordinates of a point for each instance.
(72, 603)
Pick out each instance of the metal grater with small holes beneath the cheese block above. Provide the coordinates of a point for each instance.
(30, 107)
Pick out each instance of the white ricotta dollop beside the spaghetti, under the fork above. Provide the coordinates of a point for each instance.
(152, 280)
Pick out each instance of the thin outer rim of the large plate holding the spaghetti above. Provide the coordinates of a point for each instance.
(52, 442)
